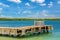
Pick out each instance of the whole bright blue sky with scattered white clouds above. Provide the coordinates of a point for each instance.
(29, 8)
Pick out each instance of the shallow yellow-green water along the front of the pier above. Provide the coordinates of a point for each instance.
(44, 36)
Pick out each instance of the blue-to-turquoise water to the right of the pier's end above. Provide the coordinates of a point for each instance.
(56, 32)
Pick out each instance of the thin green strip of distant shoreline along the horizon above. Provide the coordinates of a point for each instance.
(22, 19)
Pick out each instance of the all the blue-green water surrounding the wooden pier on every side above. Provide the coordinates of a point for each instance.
(54, 35)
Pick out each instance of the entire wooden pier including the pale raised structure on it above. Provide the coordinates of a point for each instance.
(38, 27)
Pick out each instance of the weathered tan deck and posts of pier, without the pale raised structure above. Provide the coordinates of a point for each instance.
(34, 29)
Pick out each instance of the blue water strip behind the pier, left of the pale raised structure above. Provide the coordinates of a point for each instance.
(16, 23)
